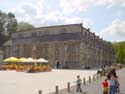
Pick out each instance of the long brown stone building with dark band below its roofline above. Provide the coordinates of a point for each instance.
(72, 45)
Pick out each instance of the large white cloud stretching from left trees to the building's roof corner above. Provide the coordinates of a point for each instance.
(39, 15)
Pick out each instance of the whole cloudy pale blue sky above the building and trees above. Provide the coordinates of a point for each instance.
(104, 17)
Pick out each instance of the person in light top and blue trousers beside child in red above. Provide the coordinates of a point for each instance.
(112, 81)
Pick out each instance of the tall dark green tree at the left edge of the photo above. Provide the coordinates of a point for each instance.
(8, 25)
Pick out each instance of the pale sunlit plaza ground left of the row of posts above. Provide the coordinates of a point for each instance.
(12, 82)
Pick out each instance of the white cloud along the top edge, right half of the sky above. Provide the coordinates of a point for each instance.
(70, 6)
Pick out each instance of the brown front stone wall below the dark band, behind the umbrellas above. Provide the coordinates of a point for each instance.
(66, 52)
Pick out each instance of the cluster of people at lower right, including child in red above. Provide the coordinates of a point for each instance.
(111, 83)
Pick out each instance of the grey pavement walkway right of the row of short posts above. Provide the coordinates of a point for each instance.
(95, 87)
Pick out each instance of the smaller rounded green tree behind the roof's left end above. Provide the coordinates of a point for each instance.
(24, 26)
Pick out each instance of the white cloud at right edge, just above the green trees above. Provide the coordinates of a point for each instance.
(116, 31)
